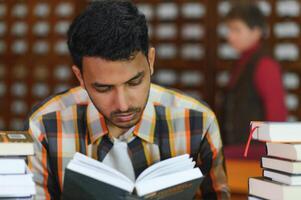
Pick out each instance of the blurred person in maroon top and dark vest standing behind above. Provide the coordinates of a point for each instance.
(255, 90)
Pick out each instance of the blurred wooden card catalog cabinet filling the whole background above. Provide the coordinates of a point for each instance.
(189, 36)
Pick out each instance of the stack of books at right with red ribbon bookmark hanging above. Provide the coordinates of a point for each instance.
(282, 163)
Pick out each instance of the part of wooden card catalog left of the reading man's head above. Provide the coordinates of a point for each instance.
(34, 58)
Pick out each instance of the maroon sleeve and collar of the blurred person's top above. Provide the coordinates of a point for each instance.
(268, 83)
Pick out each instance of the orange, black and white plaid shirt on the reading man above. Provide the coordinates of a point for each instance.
(171, 124)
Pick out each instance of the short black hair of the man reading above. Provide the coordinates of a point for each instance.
(109, 29)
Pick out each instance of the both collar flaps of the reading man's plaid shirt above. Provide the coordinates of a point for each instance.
(145, 129)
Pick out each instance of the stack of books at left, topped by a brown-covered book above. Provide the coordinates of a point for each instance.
(16, 180)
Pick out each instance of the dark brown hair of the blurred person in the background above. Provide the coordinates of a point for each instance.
(249, 13)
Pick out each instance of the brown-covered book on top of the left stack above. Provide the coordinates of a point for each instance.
(16, 143)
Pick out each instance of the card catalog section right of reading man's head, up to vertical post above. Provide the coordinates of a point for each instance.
(177, 31)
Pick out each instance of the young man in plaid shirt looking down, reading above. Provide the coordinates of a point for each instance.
(116, 115)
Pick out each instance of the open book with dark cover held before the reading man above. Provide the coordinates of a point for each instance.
(173, 178)
